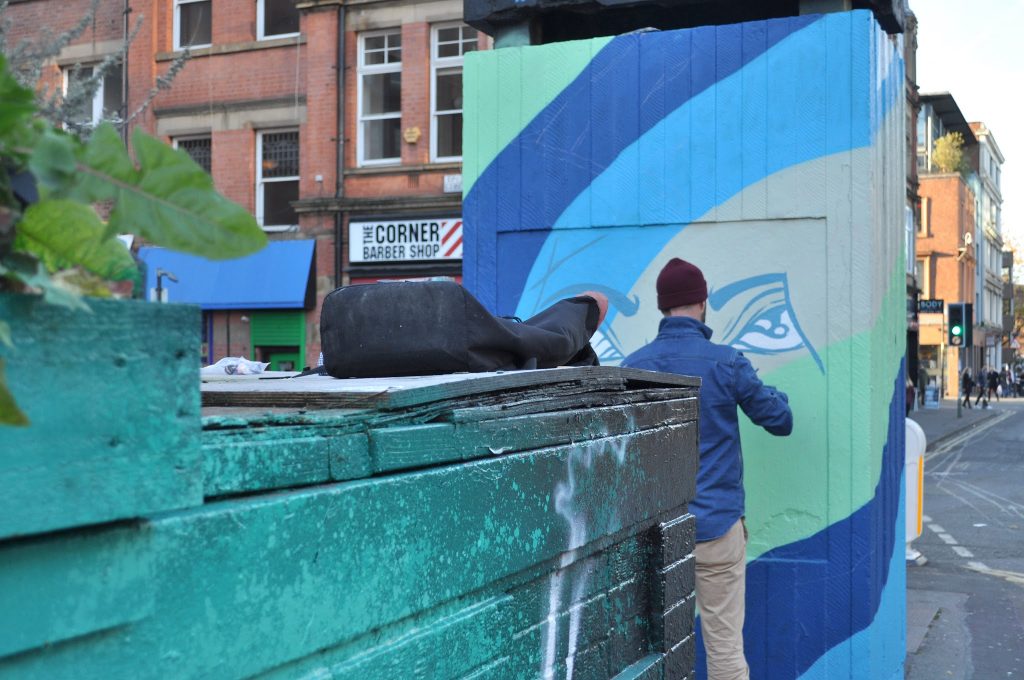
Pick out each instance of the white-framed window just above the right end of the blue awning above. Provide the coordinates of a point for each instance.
(277, 179)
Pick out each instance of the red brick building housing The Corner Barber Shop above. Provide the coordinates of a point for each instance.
(338, 124)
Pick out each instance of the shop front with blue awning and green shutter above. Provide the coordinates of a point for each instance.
(258, 307)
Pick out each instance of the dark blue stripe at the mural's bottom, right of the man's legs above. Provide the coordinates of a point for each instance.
(833, 581)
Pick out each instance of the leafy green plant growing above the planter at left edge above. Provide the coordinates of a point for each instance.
(53, 242)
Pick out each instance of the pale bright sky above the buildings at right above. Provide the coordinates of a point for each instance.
(975, 52)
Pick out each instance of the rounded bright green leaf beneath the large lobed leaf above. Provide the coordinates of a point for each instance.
(63, 233)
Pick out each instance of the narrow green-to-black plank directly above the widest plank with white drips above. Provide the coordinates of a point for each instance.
(398, 448)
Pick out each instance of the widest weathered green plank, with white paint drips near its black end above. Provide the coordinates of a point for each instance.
(250, 584)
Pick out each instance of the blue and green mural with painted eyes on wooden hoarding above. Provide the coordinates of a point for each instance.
(771, 154)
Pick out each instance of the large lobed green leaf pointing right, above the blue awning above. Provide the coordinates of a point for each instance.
(167, 199)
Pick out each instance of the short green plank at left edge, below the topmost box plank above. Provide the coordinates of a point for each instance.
(58, 589)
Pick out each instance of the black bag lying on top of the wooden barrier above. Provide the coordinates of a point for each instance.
(431, 328)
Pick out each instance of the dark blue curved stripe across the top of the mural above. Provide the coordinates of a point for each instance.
(587, 126)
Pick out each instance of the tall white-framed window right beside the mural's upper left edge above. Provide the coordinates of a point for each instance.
(450, 44)
